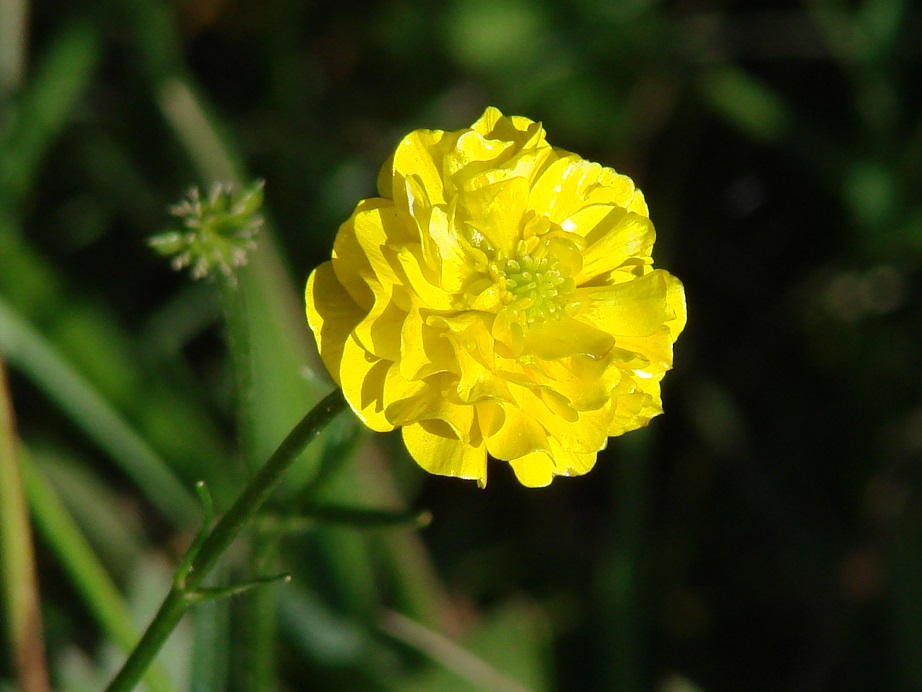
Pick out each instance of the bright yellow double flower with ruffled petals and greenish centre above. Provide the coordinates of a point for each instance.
(497, 299)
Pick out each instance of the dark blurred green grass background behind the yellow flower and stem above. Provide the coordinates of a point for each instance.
(766, 533)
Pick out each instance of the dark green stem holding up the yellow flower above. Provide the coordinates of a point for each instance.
(183, 593)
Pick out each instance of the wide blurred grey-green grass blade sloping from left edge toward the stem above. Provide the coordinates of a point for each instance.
(32, 354)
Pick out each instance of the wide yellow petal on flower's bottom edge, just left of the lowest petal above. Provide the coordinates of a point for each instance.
(438, 451)
